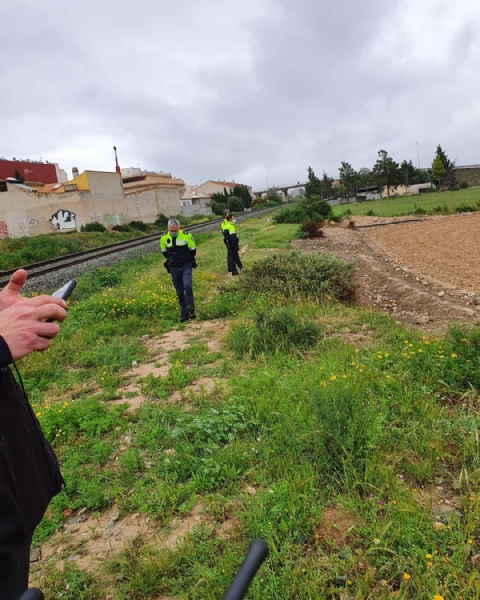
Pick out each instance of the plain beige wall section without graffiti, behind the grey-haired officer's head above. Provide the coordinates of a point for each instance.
(146, 205)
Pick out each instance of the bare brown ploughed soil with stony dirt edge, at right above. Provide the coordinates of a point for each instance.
(425, 273)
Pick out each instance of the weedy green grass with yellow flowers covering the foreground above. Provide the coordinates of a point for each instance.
(359, 420)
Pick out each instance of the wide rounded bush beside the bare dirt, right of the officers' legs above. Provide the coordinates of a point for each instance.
(292, 273)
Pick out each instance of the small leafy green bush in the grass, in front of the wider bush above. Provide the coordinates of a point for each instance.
(272, 331)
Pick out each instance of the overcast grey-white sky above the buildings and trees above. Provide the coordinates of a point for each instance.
(239, 89)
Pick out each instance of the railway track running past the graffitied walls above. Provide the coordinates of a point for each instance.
(69, 260)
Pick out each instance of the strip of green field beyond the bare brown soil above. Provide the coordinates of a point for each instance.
(408, 205)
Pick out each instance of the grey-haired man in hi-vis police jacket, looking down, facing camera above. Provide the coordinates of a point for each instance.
(179, 250)
